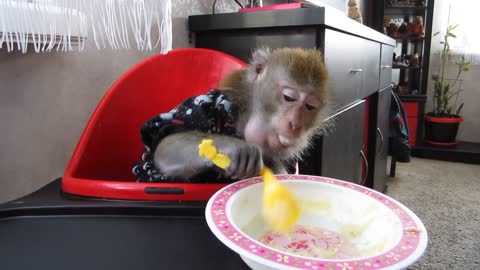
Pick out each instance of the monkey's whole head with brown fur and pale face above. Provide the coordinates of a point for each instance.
(287, 98)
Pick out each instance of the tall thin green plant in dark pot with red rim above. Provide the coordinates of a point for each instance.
(441, 124)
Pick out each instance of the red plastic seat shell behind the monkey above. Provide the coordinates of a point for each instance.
(101, 163)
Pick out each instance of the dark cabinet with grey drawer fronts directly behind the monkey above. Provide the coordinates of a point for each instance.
(359, 63)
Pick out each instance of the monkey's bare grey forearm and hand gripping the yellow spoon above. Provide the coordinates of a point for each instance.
(177, 156)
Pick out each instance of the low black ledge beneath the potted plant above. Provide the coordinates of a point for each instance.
(467, 152)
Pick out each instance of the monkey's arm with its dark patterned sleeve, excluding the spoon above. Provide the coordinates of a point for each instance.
(171, 141)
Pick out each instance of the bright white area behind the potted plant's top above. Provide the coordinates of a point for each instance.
(464, 13)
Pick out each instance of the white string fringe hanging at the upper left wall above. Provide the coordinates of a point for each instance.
(65, 25)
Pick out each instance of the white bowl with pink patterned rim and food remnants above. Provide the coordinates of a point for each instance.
(359, 228)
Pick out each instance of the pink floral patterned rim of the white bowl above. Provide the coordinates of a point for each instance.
(409, 243)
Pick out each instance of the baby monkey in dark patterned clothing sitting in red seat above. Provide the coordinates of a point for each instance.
(265, 114)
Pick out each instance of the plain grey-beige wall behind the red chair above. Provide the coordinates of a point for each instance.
(46, 99)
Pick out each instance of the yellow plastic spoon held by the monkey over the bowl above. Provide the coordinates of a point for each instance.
(281, 209)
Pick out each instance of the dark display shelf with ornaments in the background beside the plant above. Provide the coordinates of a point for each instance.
(413, 81)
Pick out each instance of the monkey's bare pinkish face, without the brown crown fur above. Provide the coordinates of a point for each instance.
(279, 122)
